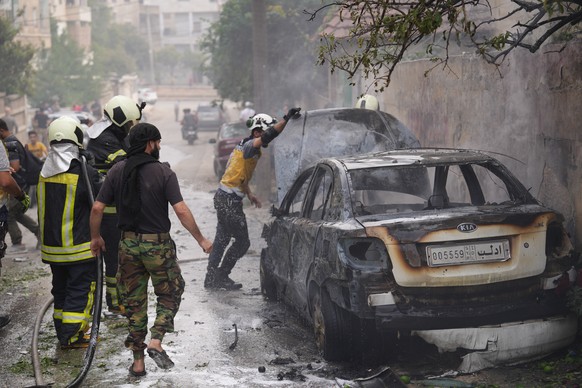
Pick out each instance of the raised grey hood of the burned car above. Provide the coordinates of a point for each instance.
(323, 133)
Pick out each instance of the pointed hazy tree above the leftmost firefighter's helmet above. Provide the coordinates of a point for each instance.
(64, 73)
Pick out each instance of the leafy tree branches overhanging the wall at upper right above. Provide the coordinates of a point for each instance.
(377, 35)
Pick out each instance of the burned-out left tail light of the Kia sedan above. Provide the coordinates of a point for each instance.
(364, 253)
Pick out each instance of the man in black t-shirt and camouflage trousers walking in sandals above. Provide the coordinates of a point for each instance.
(141, 188)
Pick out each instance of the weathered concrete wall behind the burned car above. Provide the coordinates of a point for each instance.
(529, 109)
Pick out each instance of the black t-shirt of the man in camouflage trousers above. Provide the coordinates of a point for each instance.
(158, 187)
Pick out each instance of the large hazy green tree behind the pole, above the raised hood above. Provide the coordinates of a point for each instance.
(290, 73)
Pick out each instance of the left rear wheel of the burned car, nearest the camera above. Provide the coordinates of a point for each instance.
(332, 328)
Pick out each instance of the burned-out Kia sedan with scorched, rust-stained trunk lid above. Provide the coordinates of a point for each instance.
(417, 240)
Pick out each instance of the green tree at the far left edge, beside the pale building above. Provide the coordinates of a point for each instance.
(15, 61)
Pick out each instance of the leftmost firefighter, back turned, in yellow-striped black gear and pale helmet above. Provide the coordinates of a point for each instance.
(64, 207)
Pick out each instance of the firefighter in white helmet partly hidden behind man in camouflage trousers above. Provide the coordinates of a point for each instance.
(108, 145)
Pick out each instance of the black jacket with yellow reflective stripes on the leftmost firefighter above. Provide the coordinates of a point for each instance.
(64, 207)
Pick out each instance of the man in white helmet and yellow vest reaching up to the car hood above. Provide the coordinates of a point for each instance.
(234, 186)
